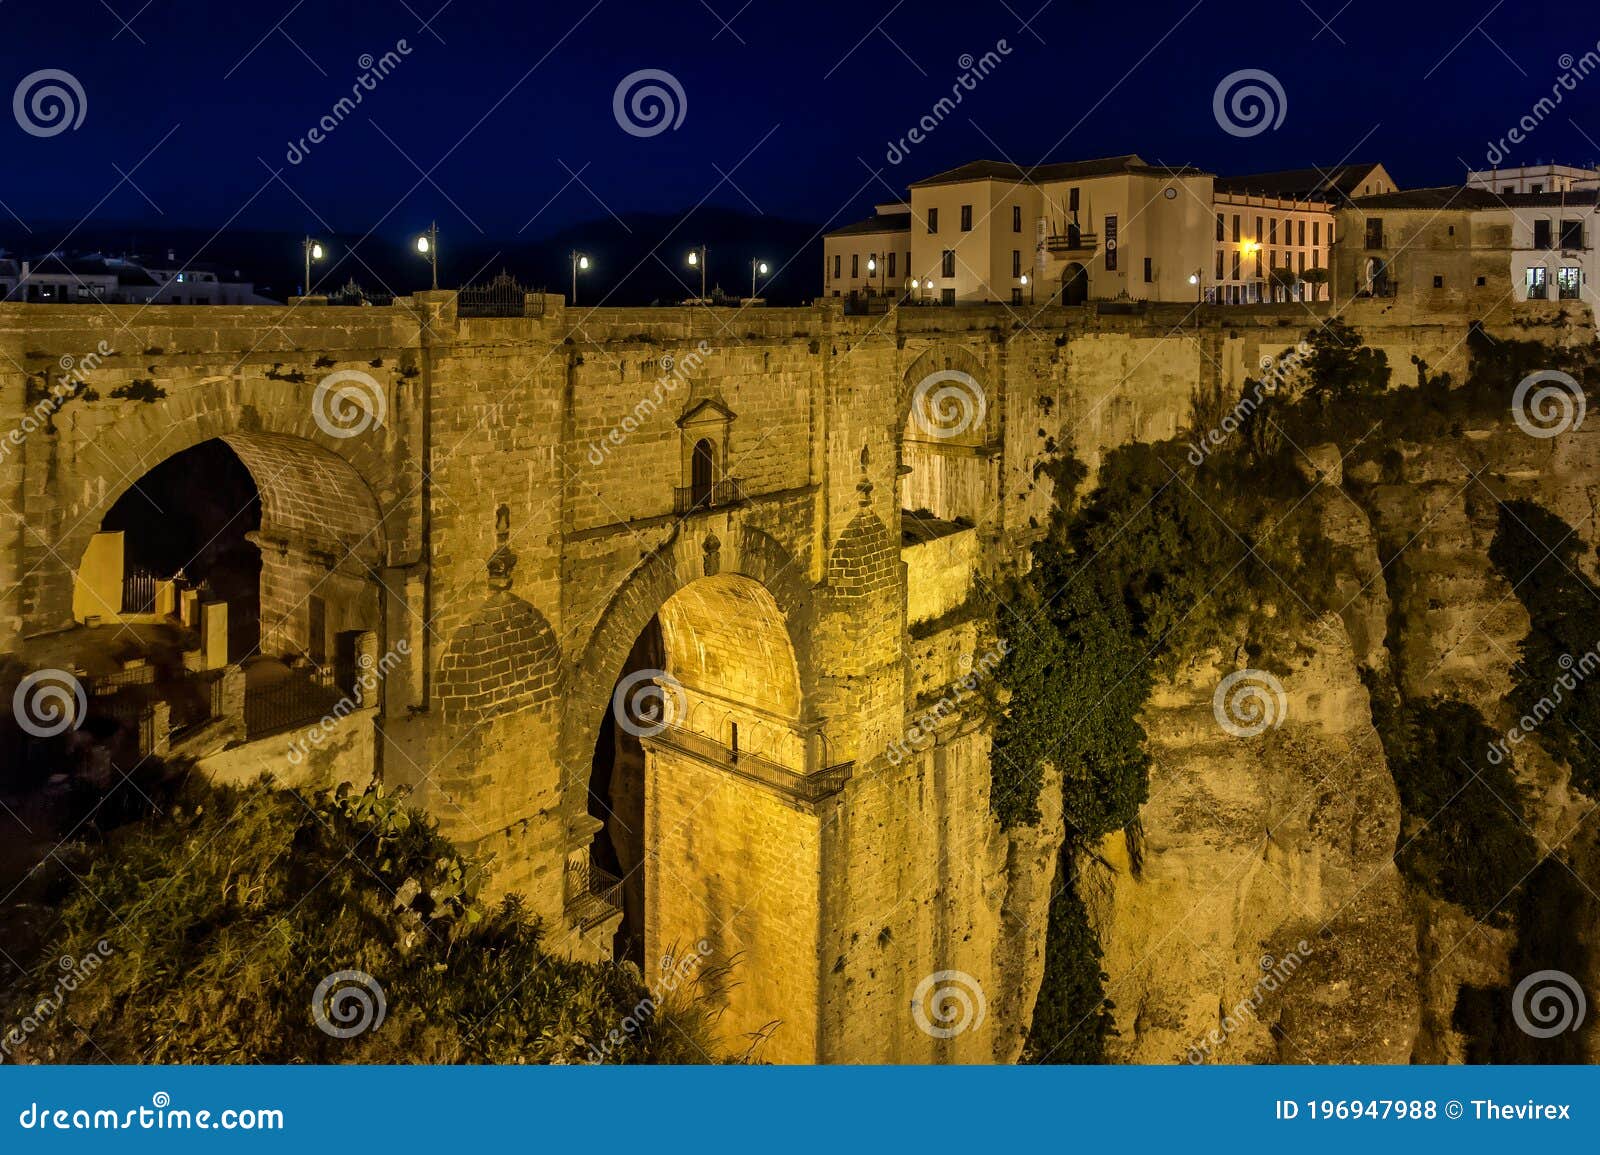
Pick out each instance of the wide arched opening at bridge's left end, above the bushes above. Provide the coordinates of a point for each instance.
(247, 550)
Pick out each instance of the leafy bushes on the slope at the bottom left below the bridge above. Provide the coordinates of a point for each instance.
(236, 903)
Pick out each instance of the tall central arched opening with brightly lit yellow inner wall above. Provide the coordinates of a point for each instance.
(702, 733)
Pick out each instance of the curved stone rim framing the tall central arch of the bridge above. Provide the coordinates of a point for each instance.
(697, 553)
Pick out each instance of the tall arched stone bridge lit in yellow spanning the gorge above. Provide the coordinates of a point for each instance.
(694, 599)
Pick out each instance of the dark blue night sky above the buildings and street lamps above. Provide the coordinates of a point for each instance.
(500, 121)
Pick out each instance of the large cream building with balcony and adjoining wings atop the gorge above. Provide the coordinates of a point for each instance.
(1113, 230)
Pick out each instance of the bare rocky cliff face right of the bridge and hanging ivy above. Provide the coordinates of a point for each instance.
(1263, 917)
